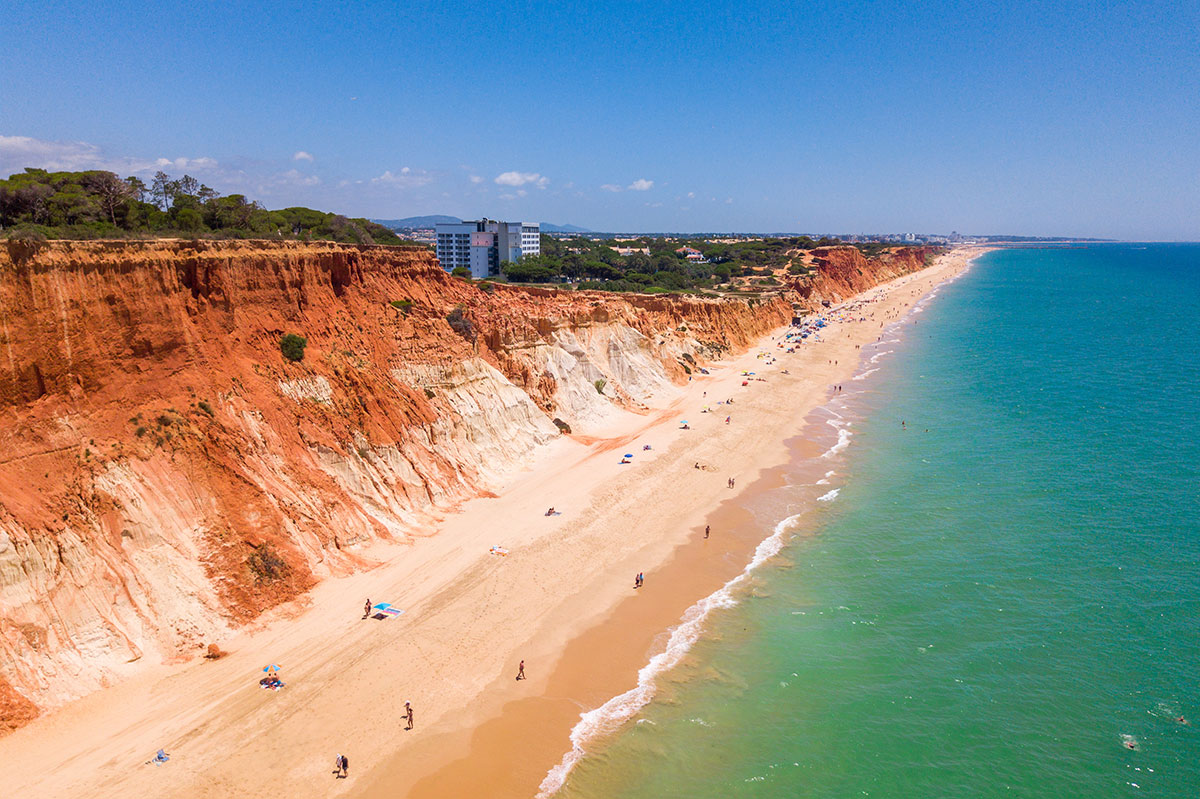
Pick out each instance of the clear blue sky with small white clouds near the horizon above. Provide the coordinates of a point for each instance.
(1023, 118)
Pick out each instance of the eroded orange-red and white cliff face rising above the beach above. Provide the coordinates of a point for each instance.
(166, 474)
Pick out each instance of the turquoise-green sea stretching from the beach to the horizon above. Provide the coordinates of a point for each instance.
(1005, 592)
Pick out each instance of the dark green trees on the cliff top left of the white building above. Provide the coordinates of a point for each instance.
(99, 205)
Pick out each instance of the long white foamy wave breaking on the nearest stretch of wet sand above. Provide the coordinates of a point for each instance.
(613, 714)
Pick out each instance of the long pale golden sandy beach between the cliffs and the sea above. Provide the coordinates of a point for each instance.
(562, 599)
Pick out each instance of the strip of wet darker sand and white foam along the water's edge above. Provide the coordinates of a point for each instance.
(506, 755)
